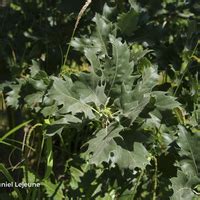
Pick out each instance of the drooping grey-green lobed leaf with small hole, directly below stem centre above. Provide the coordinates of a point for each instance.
(105, 149)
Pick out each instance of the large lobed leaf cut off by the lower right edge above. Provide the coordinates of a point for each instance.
(185, 184)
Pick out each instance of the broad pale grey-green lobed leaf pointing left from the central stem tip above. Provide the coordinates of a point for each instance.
(76, 97)
